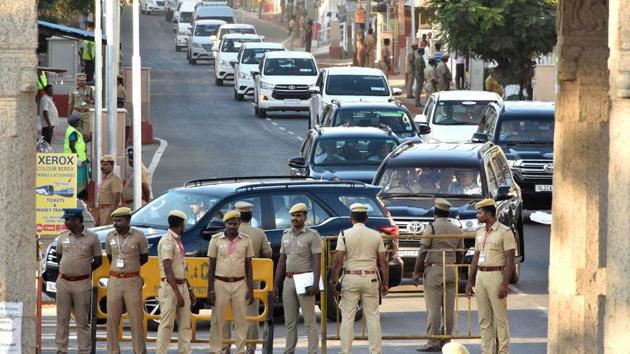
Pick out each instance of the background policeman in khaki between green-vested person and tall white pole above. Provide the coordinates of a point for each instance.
(108, 192)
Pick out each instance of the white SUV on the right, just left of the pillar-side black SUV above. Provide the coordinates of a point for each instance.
(453, 116)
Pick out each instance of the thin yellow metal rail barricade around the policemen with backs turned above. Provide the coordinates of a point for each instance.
(328, 258)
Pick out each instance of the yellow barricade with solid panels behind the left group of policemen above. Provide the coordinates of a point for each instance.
(262, 270)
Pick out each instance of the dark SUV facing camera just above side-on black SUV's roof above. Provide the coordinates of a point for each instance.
(345, 153)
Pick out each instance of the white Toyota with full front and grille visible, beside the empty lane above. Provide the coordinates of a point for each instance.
(283, 81)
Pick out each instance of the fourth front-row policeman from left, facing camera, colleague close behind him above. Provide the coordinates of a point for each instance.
(230, 281)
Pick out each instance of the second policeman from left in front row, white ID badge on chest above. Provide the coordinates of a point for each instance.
(127, 250)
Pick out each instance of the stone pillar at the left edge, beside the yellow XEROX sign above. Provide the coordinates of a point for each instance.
(18, 40)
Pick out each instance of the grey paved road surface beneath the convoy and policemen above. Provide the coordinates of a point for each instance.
(210, 134)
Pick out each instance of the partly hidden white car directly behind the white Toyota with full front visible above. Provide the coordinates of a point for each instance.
(249, 58)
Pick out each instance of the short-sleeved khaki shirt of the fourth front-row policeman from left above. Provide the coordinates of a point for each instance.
(230, 265)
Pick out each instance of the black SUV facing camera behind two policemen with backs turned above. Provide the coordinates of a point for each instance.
(413, 175)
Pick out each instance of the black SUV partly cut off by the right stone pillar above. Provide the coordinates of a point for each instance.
(524, 130)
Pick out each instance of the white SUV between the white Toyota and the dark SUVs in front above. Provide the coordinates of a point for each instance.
(351, 84)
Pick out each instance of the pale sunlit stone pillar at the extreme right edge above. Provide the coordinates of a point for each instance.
(617, 317)
